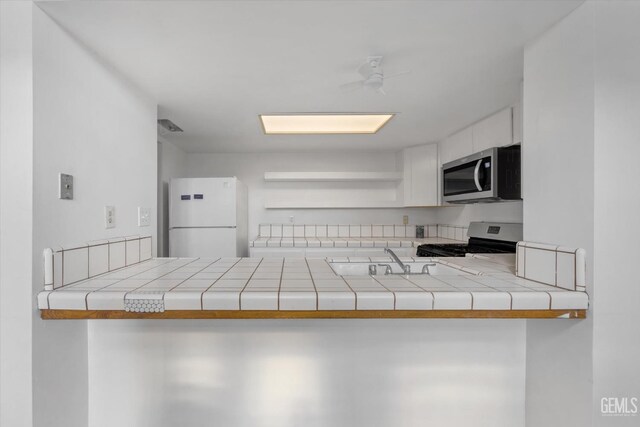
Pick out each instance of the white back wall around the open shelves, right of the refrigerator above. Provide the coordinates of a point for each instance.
(250, 169)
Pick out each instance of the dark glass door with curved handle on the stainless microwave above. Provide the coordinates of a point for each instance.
(472, 177)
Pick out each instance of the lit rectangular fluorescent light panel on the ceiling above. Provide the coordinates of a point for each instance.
(318, 124)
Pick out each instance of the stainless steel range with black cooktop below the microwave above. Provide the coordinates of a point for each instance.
(484, 237)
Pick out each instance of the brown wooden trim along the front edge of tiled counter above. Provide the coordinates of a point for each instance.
(333, 314)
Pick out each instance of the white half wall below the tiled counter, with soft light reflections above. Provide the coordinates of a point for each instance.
(342, 373)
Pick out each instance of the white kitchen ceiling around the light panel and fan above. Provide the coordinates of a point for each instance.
(214, 66)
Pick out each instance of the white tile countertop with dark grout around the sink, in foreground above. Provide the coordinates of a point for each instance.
(162, 285)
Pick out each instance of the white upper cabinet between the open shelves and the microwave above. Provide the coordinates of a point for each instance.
(420, 175)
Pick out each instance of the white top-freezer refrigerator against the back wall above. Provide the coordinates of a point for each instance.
(208, 218)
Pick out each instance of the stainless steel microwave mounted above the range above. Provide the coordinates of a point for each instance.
(491, 175)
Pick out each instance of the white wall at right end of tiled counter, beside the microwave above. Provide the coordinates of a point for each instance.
(558, 179)
